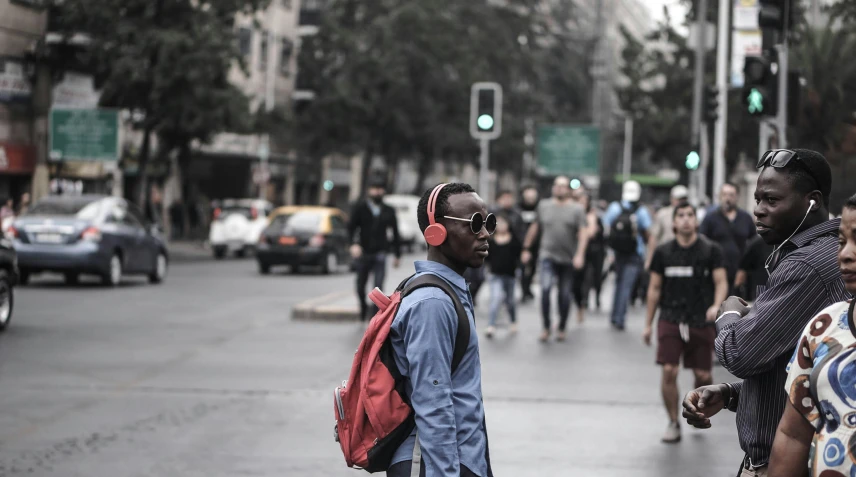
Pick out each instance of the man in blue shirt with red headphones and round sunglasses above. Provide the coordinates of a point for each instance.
(452, 437)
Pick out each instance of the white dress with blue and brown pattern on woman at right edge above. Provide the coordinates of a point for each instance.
(821, 385)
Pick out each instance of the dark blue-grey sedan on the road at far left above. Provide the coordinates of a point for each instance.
(99, 235)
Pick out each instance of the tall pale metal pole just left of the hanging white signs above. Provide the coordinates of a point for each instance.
(721, 129)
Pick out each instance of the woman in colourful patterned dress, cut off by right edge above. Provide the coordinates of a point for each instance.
(817, 434)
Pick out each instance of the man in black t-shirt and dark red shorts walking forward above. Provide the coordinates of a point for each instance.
(688, 283)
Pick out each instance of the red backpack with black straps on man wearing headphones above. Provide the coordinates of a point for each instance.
(373, 413)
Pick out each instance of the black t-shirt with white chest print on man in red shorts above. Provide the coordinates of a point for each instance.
(688, 287)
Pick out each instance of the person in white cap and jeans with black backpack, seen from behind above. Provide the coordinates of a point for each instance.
(628, 225)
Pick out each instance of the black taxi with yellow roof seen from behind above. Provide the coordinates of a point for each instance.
(300, 236)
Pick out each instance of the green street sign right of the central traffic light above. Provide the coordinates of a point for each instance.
(570, 150)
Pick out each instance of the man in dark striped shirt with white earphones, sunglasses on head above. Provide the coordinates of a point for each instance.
(792, 198)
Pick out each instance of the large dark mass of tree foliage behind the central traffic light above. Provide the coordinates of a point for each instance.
(393, 77)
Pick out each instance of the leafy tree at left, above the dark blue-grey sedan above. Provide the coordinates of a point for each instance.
(166, 61)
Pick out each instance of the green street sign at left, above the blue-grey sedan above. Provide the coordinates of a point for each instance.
(84, 134)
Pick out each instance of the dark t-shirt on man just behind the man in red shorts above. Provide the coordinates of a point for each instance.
(731, 236)
